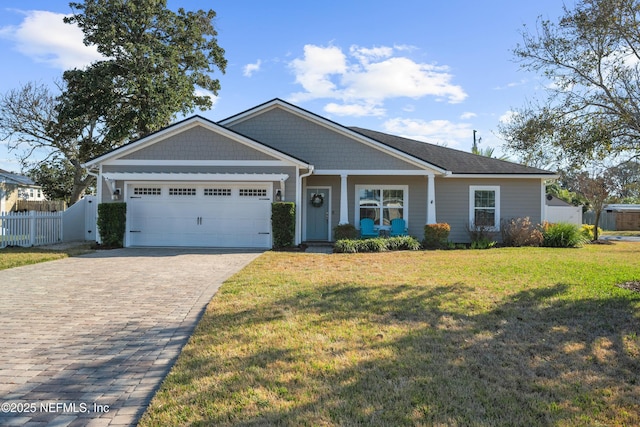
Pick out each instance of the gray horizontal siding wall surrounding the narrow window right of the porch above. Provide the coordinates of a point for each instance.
(519, 198)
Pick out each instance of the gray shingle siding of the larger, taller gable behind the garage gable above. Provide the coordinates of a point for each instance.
(323, 147)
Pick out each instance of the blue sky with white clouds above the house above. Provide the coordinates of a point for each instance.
(428, 70)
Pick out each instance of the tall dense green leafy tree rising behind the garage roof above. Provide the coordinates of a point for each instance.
(156, 59)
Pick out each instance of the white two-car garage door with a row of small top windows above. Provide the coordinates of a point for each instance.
(212, 215)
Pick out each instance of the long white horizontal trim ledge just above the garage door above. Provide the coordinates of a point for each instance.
(168, 176)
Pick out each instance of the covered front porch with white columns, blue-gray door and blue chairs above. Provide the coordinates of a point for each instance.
(330, 198)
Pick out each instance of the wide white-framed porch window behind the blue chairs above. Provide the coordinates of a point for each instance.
(381, 203)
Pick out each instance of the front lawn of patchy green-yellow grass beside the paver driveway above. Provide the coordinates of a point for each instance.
(510, 336)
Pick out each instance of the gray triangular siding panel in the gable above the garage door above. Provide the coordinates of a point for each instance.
(198, 143)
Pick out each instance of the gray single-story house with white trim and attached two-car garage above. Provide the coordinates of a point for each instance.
(200, 183)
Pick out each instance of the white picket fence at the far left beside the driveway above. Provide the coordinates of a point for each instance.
(30, 228)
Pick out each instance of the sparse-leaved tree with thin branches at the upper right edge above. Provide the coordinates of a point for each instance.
(591, 58)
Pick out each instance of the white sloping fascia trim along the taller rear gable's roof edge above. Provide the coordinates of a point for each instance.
(334, 127)
